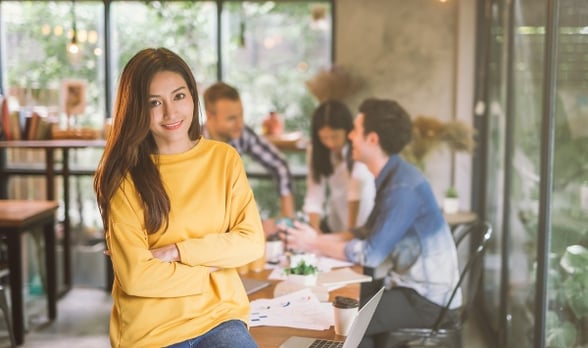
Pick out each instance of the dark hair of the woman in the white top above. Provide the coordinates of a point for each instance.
(333, 114)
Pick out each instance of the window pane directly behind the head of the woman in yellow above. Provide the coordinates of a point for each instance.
(185, 27)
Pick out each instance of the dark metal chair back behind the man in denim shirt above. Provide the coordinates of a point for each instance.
(480, 233)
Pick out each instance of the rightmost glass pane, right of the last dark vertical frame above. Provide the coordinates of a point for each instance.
(567, 312)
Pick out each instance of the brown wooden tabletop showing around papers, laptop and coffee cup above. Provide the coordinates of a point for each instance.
(273, 336)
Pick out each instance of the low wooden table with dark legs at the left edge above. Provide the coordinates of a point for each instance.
(16, 218)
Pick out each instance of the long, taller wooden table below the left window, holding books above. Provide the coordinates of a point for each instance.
(50, 172)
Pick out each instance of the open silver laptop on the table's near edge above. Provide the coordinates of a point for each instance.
(356, 332)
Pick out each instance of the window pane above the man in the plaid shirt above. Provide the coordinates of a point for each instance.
(269, 50)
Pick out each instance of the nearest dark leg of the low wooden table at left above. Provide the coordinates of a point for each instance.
(13, 238)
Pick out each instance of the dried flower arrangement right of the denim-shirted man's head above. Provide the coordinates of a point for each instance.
(428, 133)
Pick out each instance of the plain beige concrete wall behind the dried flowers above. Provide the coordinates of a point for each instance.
(420, 53)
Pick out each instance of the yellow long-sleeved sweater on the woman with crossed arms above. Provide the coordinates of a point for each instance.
(215, 223)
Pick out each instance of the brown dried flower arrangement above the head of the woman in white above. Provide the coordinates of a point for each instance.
(332, 83)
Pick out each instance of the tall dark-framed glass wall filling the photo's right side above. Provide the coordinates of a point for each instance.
(566, 310)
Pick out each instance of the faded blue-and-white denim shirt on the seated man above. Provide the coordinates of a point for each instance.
(406, 235)
